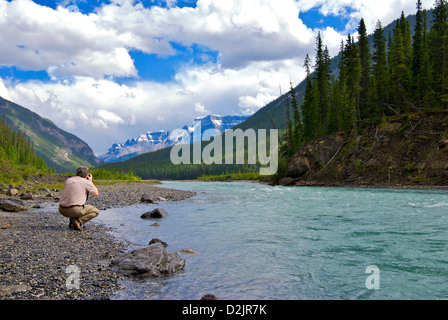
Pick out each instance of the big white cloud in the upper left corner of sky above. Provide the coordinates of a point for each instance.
(35, 37)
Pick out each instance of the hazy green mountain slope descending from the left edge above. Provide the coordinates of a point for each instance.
(61, 150)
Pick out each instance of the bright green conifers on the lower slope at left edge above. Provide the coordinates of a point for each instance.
(17, 148)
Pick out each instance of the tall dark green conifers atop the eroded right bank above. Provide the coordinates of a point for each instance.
(401, 73)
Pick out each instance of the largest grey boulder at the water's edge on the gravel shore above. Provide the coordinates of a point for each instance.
(150, 261)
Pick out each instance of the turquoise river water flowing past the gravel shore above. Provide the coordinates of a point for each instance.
(262, 242)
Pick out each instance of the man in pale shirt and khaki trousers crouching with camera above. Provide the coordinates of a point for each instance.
(74, 196)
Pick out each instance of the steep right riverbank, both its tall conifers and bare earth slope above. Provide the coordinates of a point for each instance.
(383, 119)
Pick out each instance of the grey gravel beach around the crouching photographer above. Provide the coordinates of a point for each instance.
(41, 258)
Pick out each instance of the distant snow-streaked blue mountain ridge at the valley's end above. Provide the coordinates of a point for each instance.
(157, 140)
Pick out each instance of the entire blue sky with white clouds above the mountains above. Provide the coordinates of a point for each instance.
(110, 70)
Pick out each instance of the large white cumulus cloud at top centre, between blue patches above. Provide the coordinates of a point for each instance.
(243, 31)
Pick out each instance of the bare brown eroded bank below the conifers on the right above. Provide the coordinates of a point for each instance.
(408, 150)
